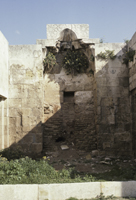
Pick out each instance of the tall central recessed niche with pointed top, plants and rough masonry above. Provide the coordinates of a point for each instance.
(69, 95)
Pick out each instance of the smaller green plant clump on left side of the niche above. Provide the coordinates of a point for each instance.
(49, 62)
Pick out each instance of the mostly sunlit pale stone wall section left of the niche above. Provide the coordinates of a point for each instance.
(26, 97)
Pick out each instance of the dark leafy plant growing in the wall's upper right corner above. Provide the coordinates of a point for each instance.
(128, 56)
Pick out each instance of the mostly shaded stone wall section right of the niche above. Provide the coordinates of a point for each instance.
(112, 102)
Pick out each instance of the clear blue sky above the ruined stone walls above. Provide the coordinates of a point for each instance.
(24, 21)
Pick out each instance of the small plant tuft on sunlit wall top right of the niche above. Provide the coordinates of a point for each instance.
(108, 54)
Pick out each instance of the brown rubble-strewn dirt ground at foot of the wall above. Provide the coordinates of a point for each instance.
(83, 161)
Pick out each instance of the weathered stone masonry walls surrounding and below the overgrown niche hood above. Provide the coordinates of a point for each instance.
(92, 112)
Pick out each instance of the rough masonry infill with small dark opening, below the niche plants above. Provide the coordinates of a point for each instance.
(69, 111)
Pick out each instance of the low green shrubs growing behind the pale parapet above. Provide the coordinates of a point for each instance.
(28, 171)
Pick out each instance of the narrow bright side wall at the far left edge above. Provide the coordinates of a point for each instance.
(4, 139)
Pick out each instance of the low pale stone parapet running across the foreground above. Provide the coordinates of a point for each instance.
(66, 190)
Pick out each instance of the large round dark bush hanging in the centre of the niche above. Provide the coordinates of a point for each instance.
(75, 61)
